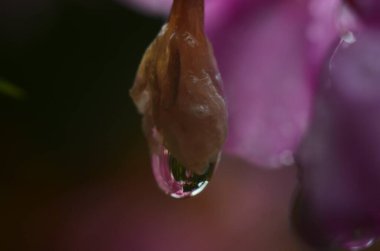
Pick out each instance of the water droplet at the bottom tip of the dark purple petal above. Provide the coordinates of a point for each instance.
(358, 241)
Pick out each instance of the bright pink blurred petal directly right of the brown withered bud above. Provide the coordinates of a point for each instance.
(264, 60)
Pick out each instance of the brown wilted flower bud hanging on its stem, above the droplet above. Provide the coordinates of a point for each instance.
(178, 89)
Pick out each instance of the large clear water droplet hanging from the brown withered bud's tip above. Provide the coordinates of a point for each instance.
(175, 179)
